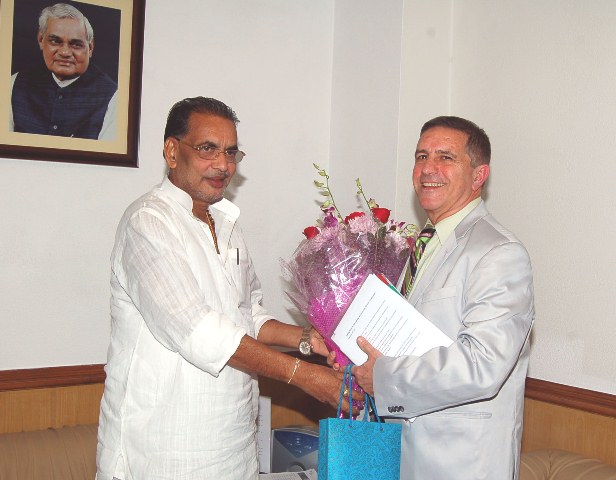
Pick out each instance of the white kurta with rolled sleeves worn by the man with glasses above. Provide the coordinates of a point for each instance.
(171, 408)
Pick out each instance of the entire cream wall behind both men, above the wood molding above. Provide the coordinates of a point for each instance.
(346, 84)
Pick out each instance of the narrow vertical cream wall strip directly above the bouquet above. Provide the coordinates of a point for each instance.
(365, 98)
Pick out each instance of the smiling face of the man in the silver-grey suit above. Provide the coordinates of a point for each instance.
(443, 177)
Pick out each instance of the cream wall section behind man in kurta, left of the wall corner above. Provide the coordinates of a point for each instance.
(271, 61)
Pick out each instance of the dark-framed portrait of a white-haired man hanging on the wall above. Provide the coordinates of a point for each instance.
(70, 80)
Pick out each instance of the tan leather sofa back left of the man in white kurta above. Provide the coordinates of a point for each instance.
(68, 453)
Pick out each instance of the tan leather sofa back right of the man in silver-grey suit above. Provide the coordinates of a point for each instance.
(561, 465)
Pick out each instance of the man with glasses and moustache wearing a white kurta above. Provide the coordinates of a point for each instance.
(180, 398)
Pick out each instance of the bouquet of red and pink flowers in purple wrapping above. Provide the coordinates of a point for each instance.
(331, 263)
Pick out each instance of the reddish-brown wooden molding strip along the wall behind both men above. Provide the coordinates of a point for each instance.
(536, 389)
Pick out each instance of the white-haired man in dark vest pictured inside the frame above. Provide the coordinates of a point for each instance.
(64, 93)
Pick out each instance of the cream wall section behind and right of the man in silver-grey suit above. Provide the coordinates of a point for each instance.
(539, 77)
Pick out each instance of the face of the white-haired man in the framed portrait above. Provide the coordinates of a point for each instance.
(65, 47)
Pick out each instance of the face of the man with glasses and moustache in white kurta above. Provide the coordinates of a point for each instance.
(204, 180)
